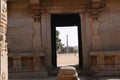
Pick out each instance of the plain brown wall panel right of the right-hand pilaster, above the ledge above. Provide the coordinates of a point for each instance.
(109, 23)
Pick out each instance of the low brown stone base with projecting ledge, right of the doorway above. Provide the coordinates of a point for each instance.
(106, 63)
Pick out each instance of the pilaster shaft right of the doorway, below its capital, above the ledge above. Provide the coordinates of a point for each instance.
(95, 34)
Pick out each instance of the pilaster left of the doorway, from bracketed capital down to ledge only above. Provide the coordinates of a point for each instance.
(36, 11)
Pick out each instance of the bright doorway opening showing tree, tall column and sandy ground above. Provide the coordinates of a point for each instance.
(67, 46)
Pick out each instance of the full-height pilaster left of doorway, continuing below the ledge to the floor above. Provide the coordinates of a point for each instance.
(39, 55)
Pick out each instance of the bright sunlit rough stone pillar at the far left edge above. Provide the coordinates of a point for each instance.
(3, 44)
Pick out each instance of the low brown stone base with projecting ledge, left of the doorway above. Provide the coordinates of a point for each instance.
(30, 65)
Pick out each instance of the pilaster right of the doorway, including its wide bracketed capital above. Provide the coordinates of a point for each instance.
(94, 8)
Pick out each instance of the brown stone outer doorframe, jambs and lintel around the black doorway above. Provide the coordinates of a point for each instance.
(85, 32)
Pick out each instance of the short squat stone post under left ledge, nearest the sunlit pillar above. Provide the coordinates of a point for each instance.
(17, 63)
